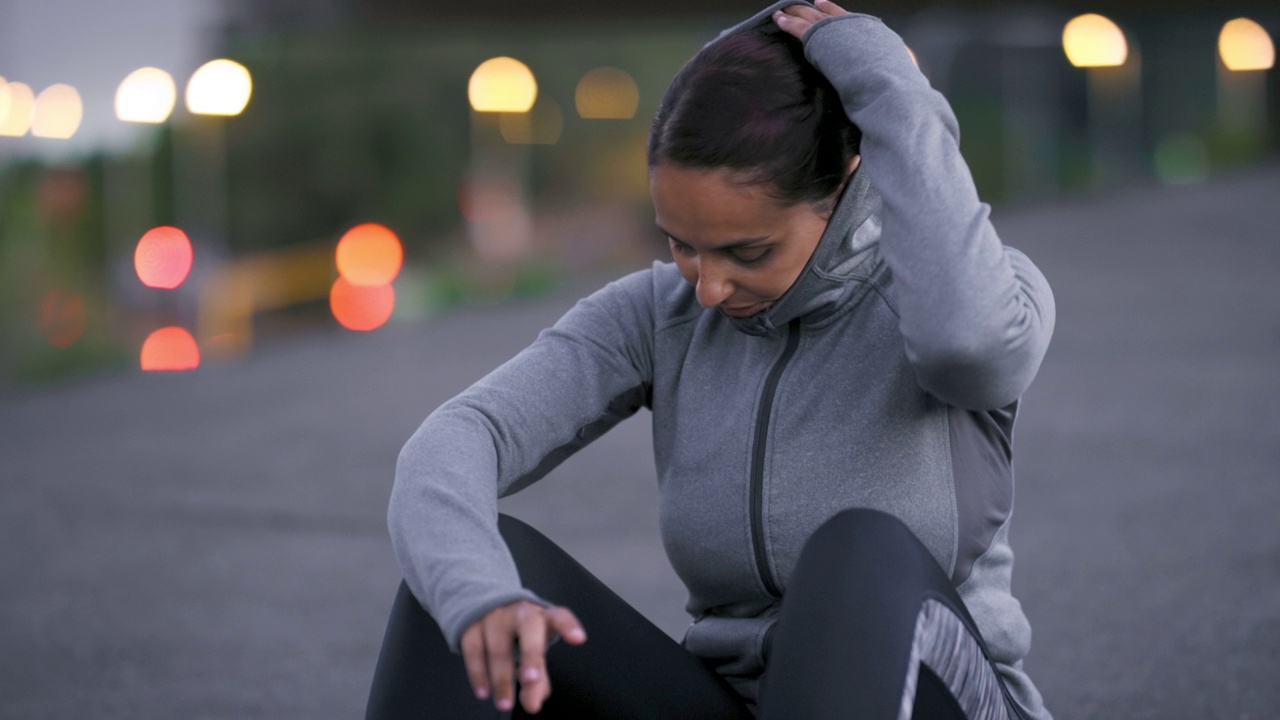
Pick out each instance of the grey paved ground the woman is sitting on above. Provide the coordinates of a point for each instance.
(213, 545)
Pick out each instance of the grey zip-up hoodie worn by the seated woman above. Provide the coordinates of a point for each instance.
(886, 377)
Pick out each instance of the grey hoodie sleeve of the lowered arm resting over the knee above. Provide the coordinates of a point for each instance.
(578, 380)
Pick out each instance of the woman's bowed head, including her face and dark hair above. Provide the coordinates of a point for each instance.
(747, 158)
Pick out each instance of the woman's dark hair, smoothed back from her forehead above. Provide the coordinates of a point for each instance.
(752, 103)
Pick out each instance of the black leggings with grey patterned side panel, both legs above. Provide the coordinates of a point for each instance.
(870, 628)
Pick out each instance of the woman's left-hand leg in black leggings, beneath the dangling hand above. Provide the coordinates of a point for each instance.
(628, 669)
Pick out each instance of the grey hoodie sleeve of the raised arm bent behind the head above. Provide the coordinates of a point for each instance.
(976, 317)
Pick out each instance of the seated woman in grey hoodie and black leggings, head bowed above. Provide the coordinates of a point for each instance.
(834, 364)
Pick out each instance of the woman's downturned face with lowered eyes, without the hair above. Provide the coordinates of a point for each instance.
(737, 245)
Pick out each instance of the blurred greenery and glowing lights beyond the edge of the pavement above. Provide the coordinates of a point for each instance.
(479, 154)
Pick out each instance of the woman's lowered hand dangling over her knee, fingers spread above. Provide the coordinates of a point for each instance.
(487, 651)
